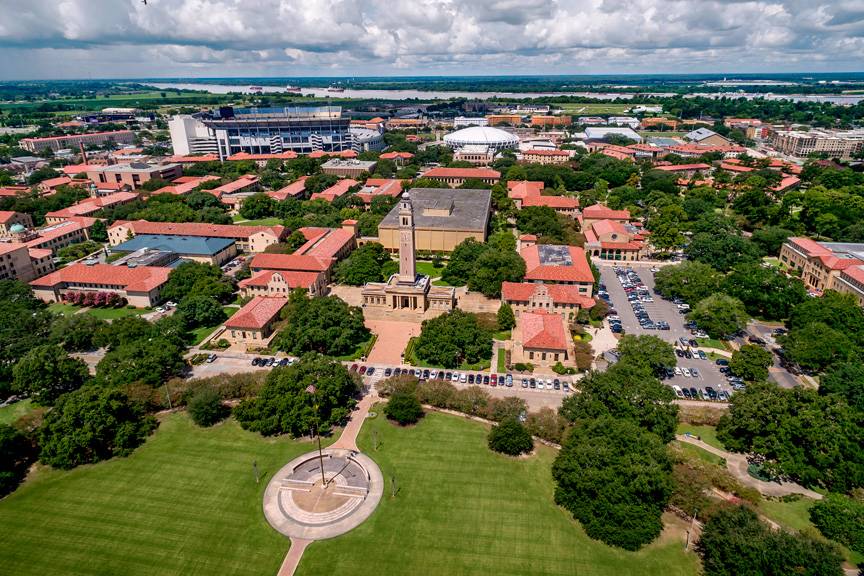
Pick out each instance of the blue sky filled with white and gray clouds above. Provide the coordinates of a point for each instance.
(126, 38)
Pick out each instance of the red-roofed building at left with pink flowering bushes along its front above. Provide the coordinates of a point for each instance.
(140, 286)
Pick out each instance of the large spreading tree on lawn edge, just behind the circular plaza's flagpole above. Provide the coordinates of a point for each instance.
(286, 406)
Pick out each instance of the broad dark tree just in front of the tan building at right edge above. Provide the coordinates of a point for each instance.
(765, 292)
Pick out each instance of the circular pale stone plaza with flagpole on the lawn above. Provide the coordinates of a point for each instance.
(299, 503)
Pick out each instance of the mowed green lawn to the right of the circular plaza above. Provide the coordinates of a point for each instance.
(462, 509)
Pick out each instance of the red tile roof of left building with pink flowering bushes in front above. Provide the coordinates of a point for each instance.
(142, 279)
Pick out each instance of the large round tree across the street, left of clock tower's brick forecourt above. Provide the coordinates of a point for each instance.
(322, 324)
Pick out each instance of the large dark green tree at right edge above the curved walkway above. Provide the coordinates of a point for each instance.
(813, 439)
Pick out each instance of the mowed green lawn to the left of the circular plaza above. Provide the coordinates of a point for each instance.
(184, 503)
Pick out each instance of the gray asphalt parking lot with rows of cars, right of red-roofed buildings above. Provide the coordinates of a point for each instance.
(659, 310)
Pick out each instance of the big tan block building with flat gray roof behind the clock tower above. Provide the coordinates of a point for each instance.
(442, 219)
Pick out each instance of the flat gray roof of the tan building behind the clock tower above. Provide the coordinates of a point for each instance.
(470, 209)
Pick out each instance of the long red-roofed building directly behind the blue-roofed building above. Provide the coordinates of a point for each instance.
(248, 238)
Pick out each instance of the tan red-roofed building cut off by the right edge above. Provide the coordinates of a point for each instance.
(820, 264)
